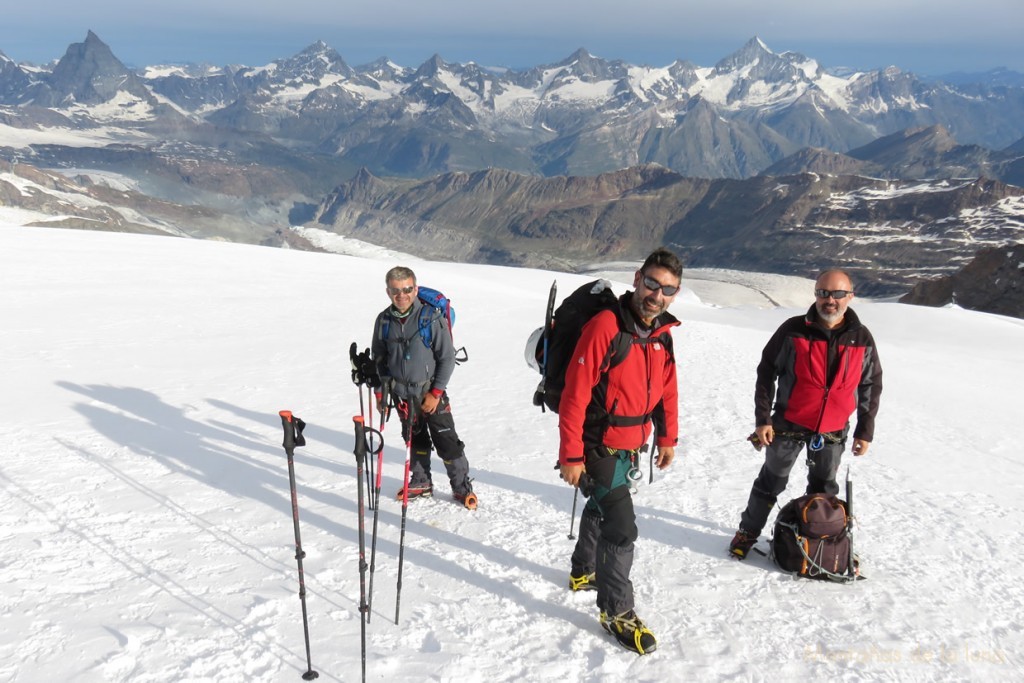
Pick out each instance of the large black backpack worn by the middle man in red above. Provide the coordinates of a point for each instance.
(569, 321)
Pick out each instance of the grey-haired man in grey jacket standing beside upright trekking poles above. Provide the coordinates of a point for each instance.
(415, 358)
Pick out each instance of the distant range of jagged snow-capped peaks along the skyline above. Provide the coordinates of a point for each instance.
(582, 116)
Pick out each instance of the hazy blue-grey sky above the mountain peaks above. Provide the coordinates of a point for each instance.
(927, 37)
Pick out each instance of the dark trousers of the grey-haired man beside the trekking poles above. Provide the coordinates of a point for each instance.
(438, 431)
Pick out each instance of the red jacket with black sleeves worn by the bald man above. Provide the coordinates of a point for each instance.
(824, 377)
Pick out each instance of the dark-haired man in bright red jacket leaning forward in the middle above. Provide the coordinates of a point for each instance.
(606, 417)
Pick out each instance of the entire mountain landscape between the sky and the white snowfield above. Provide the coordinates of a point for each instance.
(550, 166)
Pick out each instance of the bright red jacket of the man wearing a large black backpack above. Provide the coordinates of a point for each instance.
(643, 387)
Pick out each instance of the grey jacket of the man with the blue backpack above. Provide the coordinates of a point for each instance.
(405, 359)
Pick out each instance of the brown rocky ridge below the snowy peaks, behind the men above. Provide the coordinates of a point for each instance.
(890, 233)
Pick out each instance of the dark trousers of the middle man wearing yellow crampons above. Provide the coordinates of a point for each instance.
(608, 531)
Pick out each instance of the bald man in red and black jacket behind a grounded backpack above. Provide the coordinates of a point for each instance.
(827, 368)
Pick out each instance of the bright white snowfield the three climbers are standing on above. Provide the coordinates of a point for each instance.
(146, 519)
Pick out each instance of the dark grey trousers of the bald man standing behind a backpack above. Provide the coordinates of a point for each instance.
(781, 456)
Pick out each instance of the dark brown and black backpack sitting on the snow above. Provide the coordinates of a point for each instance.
(812, 539)
